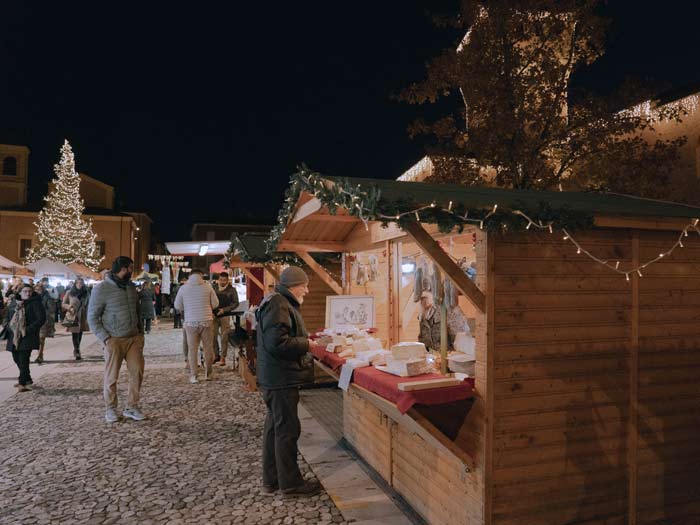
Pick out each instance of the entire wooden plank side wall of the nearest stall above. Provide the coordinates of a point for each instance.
(597, 398)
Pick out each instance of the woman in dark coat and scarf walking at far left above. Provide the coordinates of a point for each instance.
(28, 316)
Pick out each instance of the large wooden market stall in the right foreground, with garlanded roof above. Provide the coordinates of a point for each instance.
(586, 308)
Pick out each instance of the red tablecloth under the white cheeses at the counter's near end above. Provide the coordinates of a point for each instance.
(387, 386)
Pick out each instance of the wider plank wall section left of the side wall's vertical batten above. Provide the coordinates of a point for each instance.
(561, 346)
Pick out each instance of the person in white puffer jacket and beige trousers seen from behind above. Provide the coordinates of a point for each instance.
(197, 300)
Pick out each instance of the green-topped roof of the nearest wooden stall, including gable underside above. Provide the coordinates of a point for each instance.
(309, 219)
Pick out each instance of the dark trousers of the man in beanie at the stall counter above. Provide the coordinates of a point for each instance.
(280, 435)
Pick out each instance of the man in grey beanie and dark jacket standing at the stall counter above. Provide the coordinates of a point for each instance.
(283, 365)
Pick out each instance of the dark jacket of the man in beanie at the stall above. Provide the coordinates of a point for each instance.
(282, 344)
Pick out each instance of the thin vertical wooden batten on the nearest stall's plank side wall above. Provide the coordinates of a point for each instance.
(633, 421)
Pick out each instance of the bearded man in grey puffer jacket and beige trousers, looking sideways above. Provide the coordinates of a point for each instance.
(114, 317)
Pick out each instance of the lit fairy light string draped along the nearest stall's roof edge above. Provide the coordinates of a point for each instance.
(548, 226)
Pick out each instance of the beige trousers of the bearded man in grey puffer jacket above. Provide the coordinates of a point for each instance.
(118, 349)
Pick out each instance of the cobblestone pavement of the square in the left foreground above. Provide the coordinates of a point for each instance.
(196, 459)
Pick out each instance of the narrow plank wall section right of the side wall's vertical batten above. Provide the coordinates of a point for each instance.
(668, 419)
